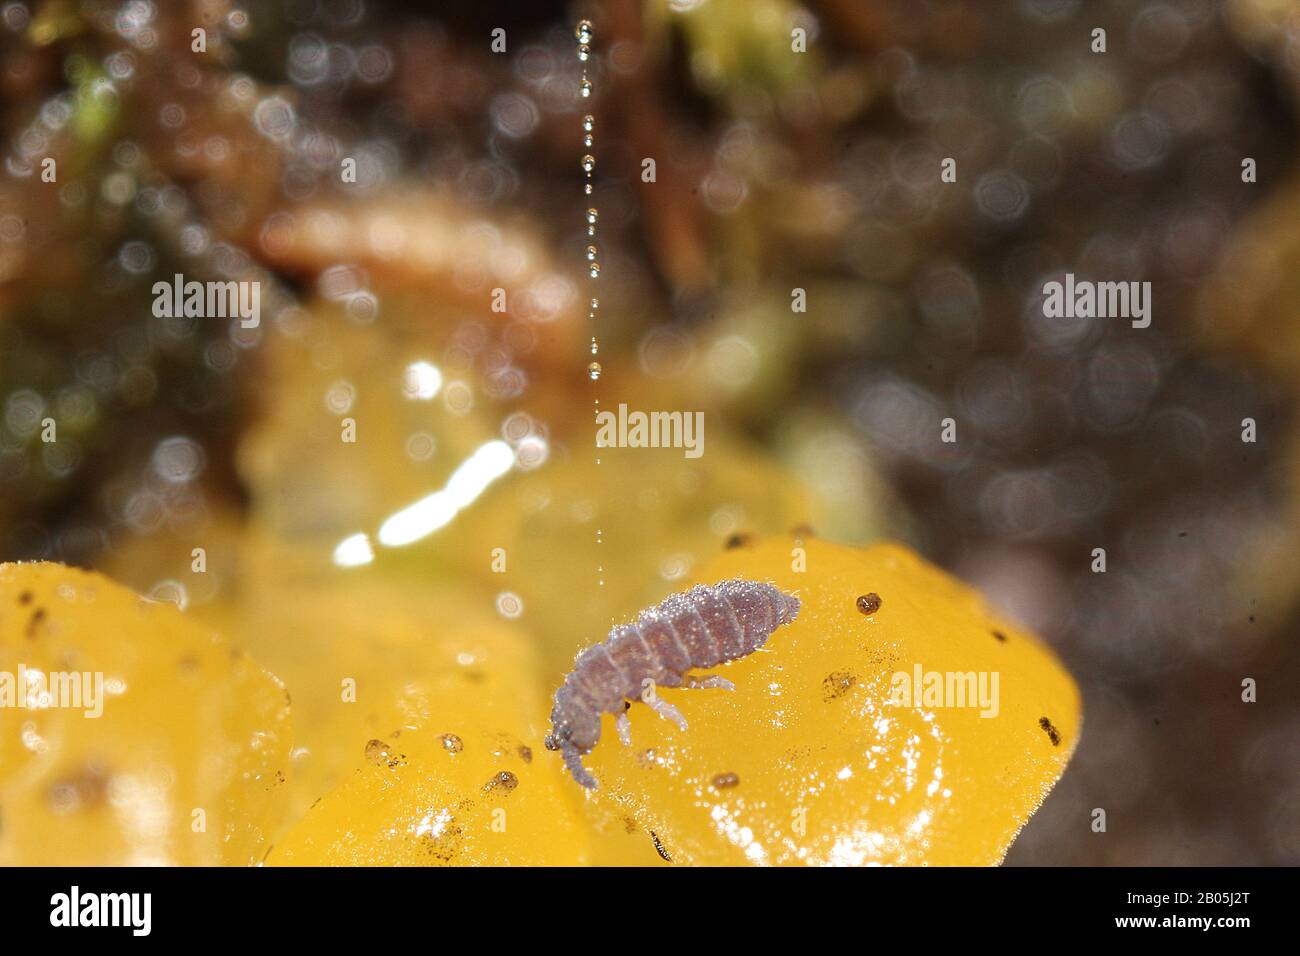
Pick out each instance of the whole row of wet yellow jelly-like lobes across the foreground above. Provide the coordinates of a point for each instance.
(423, 721)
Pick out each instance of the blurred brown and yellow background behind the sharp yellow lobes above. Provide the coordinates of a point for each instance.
(775, 171)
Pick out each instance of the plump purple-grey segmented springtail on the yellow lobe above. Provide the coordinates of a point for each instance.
(705, 626)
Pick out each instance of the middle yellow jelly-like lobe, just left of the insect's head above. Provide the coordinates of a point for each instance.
(410, 700)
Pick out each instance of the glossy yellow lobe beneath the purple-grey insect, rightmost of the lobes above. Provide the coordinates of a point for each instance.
(809, 762)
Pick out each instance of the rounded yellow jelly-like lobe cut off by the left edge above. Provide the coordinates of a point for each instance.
(185, 763)
